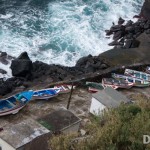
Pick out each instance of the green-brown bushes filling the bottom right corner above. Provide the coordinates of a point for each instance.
(118, 129)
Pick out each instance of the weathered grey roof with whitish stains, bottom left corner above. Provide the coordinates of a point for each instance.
(22, 133)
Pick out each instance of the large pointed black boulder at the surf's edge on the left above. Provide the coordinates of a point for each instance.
(21, 66)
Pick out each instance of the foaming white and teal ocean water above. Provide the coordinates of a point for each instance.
(60, 31)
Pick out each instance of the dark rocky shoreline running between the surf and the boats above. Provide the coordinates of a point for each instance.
(30, 75)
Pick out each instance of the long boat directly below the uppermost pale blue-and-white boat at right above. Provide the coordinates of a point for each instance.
(136, 82)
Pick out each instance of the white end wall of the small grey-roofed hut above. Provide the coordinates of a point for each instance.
(96, 107)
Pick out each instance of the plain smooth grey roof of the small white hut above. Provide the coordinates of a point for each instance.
(110, 97)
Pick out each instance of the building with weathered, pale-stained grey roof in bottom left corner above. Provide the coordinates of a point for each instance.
(27, 135)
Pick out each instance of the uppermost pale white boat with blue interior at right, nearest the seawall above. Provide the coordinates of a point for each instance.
(137, 74)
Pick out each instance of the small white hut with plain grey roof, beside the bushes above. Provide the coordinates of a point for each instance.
(107, 98)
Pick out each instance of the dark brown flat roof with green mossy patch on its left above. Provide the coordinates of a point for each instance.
(59, 120)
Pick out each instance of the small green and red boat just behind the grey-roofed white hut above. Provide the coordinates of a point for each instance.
(94, 87)
